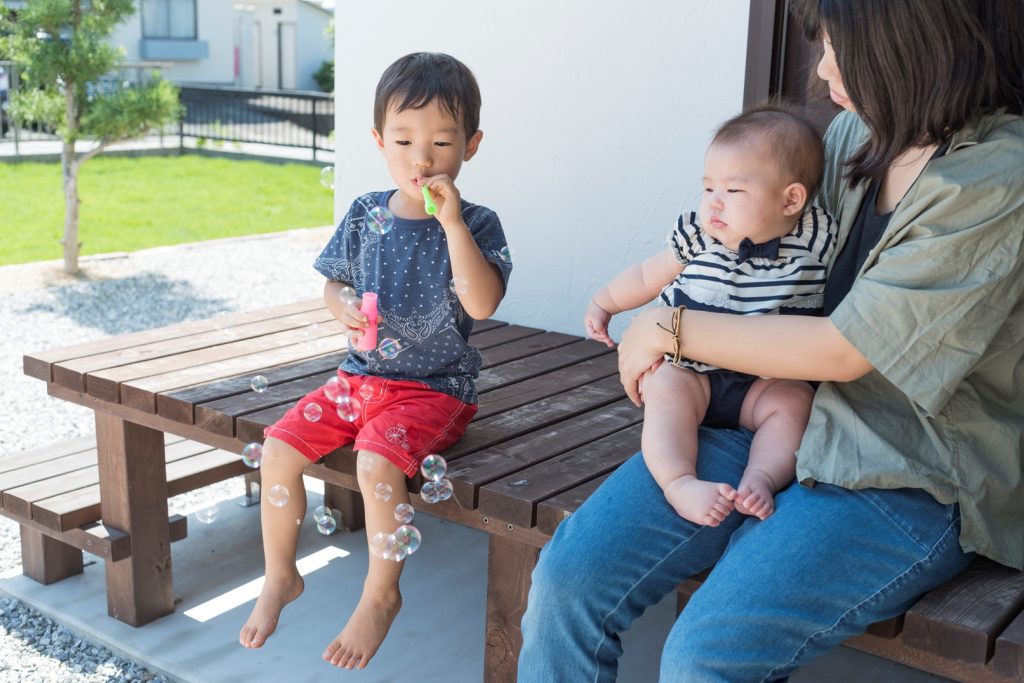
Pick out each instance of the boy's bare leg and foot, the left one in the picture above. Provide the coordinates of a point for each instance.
(282, 465)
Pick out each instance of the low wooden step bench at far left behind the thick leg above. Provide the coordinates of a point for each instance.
(54, 494)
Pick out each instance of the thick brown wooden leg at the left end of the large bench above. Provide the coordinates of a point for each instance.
(134, 500)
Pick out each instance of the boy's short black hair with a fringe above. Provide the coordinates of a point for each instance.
(416, 80)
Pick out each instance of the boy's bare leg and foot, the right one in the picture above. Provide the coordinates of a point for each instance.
(381, 600)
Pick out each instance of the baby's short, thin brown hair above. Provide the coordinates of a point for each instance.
(788, 137)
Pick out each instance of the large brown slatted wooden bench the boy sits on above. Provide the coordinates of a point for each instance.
(553, 423)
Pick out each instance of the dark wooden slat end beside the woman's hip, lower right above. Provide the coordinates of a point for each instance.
(963, 619)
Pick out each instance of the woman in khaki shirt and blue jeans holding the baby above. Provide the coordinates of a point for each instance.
(912, 463)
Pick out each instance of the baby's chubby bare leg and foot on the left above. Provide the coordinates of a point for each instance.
(675, 402)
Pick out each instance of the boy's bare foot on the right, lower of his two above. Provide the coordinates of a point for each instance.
(368, 626)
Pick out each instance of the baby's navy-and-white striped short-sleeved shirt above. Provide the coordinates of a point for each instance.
(784, 276)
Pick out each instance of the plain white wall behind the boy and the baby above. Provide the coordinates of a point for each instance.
(595, 117)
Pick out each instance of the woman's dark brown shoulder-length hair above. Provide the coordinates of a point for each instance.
(917, 71)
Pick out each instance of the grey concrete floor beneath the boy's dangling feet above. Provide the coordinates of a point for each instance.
(439, 636)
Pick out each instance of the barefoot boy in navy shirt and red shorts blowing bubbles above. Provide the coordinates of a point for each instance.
(420, 400)
